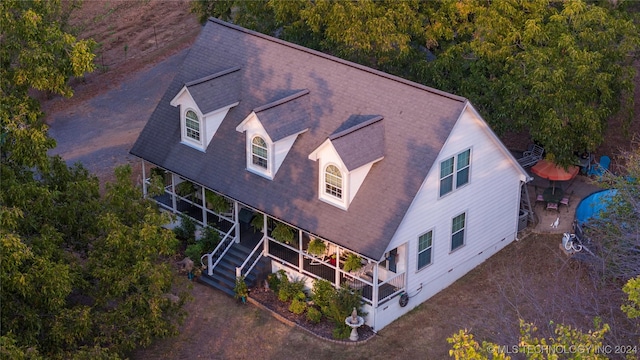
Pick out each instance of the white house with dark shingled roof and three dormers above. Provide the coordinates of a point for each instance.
(301, 145)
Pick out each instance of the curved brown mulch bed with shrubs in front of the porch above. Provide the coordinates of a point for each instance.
(323, 329)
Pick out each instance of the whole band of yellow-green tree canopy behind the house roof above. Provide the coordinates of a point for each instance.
(558, 70)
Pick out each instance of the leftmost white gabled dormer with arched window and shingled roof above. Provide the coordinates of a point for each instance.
(204, 103)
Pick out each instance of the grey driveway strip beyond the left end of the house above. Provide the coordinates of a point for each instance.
(100, 131)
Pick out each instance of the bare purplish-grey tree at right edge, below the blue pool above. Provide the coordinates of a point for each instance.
(615, 234)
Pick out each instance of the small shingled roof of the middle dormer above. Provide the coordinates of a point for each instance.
(286, 116)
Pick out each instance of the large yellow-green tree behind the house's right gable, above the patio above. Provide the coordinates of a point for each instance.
(557, 70)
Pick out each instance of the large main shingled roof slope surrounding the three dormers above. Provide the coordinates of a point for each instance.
(417, 121)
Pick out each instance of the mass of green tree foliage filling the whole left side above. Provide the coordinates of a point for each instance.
(81, 275)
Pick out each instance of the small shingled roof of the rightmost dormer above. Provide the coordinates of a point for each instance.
(361, 143)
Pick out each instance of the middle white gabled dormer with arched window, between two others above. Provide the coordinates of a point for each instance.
(271, 130)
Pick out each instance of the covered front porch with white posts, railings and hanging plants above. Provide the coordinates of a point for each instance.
(286, 245)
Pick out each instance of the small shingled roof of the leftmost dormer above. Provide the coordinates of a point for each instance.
(216, 91)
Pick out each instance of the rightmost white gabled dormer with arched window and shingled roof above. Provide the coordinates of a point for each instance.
(346, 157)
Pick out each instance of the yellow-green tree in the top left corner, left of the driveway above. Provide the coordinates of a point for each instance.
(35, 53)
